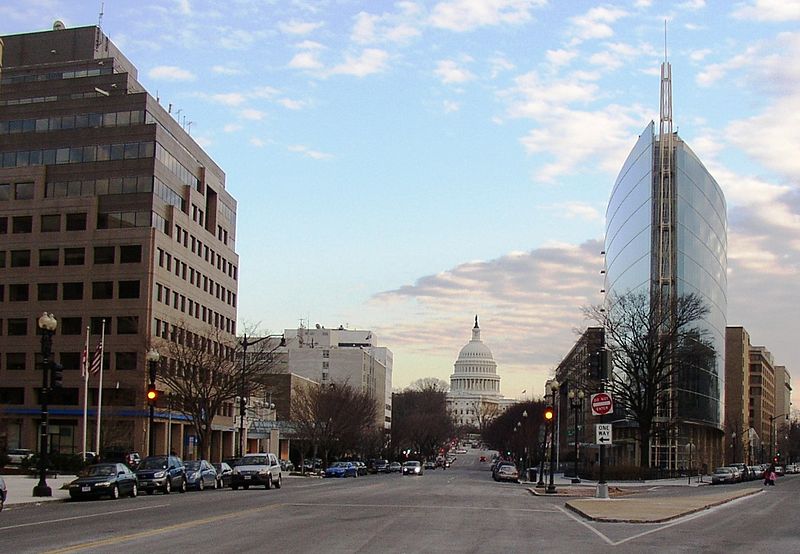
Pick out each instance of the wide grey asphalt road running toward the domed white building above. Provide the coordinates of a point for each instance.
(457, 510)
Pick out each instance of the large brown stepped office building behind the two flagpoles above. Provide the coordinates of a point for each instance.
(109, 211)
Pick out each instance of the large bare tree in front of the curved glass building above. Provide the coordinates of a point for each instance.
(653, 348)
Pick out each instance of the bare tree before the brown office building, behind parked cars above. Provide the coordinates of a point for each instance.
(204, 371)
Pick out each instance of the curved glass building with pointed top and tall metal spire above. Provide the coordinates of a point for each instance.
(696, 255)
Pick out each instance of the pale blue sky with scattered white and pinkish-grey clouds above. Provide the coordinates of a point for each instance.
(402, 166)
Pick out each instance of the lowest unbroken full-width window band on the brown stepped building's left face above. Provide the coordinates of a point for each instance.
(79, 154)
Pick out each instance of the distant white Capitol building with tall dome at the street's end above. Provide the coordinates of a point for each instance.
(474, 397)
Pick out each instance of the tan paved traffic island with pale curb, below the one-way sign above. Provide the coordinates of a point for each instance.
(654, 509)
